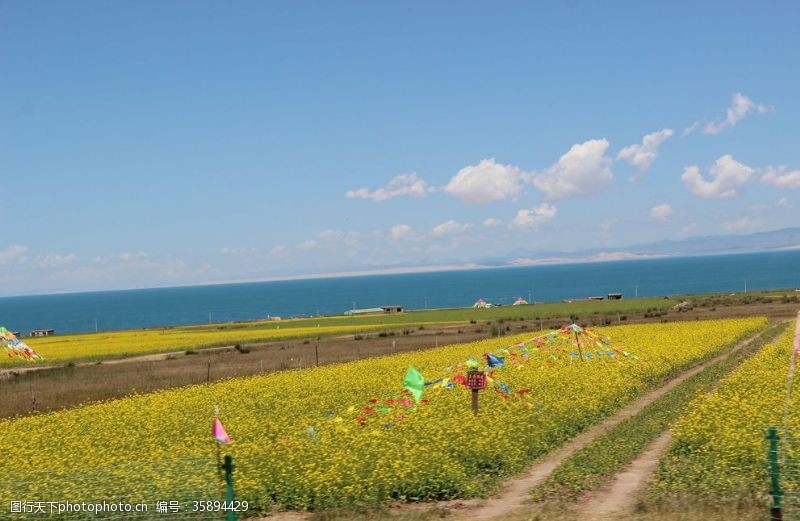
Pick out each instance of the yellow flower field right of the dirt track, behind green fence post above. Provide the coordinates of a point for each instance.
(719, 451)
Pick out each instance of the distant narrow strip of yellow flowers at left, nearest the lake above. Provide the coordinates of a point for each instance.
(115, 344)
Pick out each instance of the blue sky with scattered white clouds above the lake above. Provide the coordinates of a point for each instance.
(161, 143)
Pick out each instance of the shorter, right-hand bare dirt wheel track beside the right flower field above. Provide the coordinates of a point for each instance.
(620, 495)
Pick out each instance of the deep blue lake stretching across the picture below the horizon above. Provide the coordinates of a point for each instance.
(110, 310)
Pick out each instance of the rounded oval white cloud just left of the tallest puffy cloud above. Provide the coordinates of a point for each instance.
(487, 181)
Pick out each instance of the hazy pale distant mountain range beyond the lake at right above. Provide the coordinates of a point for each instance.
(786, 238)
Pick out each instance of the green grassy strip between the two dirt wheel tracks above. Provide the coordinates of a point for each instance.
(593, 465)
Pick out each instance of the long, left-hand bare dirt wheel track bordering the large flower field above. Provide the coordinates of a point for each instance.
(516, 492)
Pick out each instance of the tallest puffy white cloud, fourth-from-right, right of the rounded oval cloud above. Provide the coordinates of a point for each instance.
(583, 170)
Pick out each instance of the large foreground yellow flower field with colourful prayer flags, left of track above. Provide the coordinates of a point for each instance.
(344, 434)
